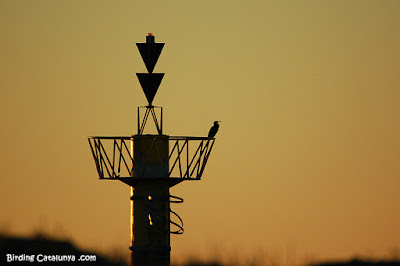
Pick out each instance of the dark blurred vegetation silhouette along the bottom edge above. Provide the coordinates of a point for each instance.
(43, 244)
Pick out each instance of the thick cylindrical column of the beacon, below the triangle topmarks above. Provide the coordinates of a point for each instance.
(150, 207)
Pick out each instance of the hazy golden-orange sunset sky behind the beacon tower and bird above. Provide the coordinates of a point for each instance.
(306, 163)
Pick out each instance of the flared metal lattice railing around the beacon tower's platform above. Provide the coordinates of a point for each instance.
(188, 156)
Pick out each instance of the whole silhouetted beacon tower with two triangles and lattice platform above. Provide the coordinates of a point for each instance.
(151, 164)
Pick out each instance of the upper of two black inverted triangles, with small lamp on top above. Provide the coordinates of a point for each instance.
(150, 52)
